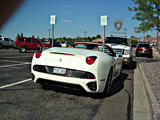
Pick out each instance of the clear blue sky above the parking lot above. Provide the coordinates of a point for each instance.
(73, 18)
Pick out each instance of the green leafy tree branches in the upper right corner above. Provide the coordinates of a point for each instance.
(148, 13)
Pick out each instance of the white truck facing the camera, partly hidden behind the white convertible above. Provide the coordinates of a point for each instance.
(121, 45)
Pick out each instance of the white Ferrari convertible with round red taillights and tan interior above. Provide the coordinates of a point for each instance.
(90, 66)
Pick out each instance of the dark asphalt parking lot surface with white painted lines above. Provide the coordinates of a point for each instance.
(21, 99)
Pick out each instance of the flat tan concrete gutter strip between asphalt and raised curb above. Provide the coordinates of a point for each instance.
(141, 106)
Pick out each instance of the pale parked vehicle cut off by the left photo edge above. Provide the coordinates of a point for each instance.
(6, 43)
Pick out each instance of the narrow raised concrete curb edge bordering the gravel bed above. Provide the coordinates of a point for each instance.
(152, 102)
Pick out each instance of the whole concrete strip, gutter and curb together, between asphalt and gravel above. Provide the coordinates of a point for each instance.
(145, 105)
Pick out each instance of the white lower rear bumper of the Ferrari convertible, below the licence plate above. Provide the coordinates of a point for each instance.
(89, 85)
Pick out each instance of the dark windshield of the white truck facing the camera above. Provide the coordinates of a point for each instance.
(117, 40)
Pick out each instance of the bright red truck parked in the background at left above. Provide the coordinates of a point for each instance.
(29, 44)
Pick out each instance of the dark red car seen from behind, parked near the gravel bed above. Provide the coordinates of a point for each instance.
(144, 49)
